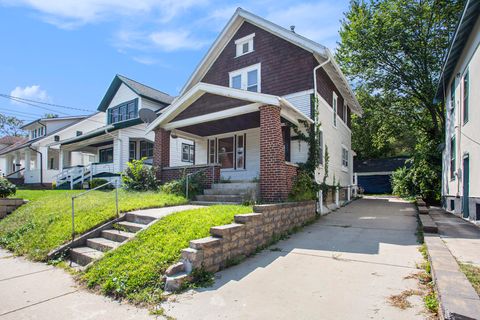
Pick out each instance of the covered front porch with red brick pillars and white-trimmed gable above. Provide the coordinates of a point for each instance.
(247, 135)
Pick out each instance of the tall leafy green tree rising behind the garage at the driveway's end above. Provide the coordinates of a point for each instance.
(394, 50)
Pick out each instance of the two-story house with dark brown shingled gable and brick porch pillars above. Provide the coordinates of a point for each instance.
(238, 107)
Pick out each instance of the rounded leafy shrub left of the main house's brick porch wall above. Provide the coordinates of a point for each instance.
(138, 177)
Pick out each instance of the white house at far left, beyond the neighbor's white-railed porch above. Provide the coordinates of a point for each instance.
(36, 159)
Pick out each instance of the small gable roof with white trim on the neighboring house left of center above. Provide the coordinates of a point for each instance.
(142, 90)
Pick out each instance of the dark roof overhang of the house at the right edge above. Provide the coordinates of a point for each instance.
(469, 17)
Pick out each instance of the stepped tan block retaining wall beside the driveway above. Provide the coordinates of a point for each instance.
(249, 231)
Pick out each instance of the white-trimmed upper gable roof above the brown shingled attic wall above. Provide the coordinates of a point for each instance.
(320, 52)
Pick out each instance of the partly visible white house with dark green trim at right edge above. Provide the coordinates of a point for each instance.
(459, 90)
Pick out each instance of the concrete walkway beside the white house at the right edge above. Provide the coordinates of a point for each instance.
(461, 237)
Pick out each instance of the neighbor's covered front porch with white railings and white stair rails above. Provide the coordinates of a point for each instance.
(105, 155)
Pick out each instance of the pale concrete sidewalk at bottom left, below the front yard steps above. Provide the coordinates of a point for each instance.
(37, 291)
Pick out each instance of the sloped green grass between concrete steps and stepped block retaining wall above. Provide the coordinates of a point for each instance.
(134, 271)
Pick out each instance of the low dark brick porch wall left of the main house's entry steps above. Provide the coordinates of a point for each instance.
(211, 173)
